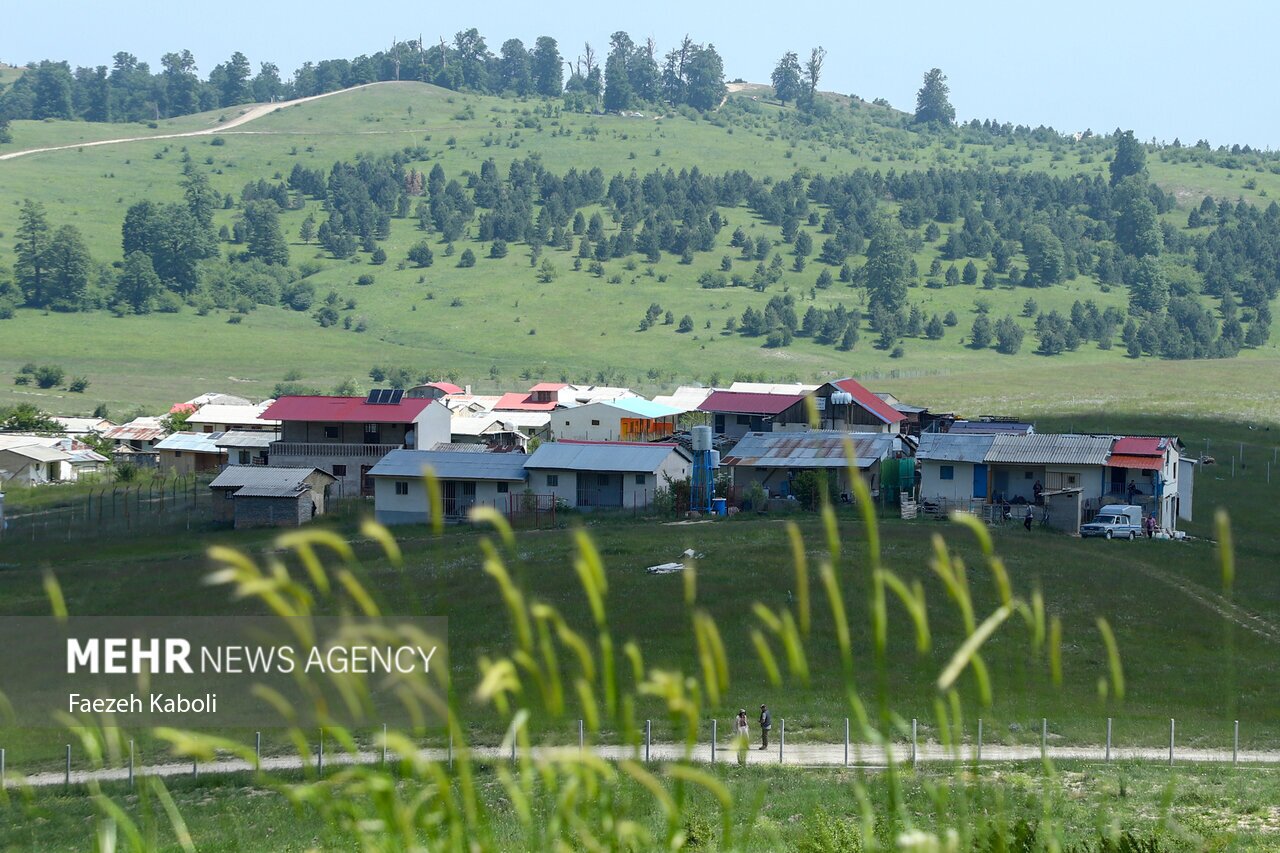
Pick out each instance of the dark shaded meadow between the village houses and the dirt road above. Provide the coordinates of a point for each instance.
(1190, 651)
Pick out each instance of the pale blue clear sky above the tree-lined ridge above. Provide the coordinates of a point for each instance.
(1169, 70)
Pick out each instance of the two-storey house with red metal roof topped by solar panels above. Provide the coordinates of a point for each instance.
(348, 436)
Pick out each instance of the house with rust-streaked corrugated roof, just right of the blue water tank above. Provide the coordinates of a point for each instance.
(775, 460)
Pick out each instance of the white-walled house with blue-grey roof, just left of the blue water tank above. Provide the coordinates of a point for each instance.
(606, 475)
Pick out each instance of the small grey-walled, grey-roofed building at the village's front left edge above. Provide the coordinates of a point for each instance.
(271, 496)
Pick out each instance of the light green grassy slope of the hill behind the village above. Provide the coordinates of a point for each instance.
(499, 320)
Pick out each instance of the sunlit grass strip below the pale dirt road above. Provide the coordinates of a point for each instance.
(1190, 809)
